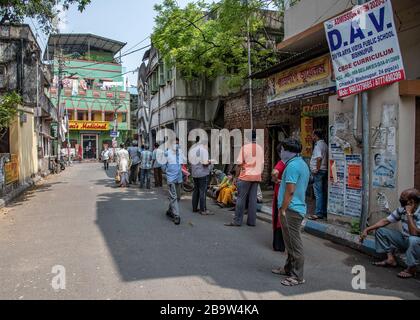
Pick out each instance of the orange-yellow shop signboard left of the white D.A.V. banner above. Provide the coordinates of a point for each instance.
(306, 80)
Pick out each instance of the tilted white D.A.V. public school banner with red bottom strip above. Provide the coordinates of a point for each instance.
(364, 48)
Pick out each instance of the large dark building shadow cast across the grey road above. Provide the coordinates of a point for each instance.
(146, 245)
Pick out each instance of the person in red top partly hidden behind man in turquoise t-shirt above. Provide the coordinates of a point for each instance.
(278, 243)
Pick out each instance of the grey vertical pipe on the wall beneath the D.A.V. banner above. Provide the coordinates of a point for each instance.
(366, 155)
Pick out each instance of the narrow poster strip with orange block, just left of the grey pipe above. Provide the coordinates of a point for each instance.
(354, 195)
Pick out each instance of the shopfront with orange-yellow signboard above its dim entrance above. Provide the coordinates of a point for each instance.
(300, 97)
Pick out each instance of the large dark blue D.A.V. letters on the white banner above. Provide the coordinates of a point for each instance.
(335, 38)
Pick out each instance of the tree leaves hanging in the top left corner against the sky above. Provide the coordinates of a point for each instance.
(44, 11)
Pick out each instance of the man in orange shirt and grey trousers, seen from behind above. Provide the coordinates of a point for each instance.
(251, 165)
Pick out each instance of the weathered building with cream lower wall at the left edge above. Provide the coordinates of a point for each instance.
(26, 145)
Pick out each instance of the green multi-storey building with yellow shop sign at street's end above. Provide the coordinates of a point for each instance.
(92, 92)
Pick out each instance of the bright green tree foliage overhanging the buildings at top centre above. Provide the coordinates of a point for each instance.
(210, 40)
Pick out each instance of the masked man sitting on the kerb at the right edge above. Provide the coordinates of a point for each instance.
(389, 241)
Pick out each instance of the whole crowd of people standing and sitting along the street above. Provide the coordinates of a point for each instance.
(240, 189)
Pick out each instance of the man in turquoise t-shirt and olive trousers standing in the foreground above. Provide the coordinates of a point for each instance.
(292, 210)
